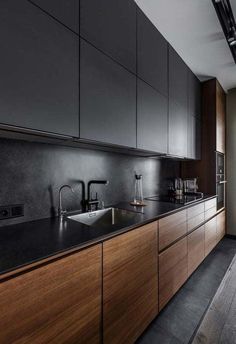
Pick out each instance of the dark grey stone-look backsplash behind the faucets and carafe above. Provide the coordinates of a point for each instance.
(32, 173)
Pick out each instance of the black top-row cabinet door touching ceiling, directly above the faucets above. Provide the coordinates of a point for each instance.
(110, 25)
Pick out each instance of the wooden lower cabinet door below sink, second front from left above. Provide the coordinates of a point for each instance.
(130, 284)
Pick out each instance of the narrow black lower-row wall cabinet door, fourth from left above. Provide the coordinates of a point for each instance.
(178, 128)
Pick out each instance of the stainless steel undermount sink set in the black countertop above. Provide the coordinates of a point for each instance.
(104, 217)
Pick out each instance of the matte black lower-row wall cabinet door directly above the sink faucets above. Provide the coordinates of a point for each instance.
(107, 99)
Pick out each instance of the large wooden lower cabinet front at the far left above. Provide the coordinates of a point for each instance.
(57, 303)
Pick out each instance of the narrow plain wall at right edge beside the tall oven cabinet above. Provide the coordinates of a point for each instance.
(231, 161)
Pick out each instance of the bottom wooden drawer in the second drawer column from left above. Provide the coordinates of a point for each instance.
(196, 245)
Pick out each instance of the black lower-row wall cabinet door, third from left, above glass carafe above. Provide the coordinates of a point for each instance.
(152, 119)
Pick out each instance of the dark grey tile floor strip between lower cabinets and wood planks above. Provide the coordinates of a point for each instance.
(178, 321)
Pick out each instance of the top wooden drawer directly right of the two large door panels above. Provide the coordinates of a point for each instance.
(171, 228)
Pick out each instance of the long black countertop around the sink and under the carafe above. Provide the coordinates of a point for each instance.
(31, 242)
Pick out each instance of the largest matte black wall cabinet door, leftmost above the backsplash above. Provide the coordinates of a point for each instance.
(39, 70)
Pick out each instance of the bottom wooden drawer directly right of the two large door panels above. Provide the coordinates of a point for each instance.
(173, 271)
